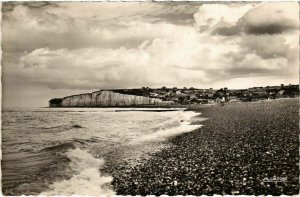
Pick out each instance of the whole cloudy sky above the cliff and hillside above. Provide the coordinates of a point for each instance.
(57, 49)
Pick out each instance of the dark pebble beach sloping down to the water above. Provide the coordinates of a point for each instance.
(239, 150)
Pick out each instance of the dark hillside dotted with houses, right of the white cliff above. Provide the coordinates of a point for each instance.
(205, 96)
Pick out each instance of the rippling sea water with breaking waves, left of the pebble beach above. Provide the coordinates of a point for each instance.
(60, 151)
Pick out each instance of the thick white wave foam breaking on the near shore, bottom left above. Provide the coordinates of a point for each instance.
(87, 179)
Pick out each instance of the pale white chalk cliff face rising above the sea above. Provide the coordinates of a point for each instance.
(109, 99)
